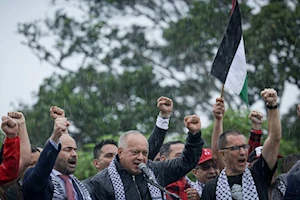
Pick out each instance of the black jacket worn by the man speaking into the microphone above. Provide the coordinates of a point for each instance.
(166, 172)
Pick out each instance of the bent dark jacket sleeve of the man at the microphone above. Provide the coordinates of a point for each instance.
(172, 170)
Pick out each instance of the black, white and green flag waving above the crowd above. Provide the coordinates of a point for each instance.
(229, 65)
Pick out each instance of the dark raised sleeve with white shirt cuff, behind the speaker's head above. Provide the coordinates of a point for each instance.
(155, 141)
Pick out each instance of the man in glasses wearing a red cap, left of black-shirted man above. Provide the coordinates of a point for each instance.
(205, 171)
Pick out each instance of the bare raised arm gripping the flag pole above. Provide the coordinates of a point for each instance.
(218, 111)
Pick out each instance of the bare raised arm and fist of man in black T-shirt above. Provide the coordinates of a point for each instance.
(271, 145)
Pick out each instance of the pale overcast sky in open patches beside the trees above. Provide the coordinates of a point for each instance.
(22, 73)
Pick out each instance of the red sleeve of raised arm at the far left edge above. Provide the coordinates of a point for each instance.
(9, 168)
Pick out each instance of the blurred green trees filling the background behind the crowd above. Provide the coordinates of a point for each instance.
(117, 57)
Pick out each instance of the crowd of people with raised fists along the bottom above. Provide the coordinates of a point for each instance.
(233, 168)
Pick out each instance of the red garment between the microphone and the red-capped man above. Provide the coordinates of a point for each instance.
(178, 188)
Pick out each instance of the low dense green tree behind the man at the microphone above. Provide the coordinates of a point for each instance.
(98, 104)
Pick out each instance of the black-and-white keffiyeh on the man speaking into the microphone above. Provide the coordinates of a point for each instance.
(119, 187)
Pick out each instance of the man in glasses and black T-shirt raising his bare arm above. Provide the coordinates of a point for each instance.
(236, 181)
